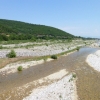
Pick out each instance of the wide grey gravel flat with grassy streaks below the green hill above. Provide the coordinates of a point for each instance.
(41, 48)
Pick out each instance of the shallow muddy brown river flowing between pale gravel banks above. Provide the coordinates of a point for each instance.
(87, 84)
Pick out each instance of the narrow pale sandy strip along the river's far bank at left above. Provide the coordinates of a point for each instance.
(12, 68)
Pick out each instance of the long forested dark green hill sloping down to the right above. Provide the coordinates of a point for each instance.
(16, 30)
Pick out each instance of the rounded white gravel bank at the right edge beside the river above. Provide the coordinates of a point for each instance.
(94, 60)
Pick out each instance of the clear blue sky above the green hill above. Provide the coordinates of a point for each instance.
(78, 17)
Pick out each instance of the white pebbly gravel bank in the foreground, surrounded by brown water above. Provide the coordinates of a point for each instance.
(59, 90)
